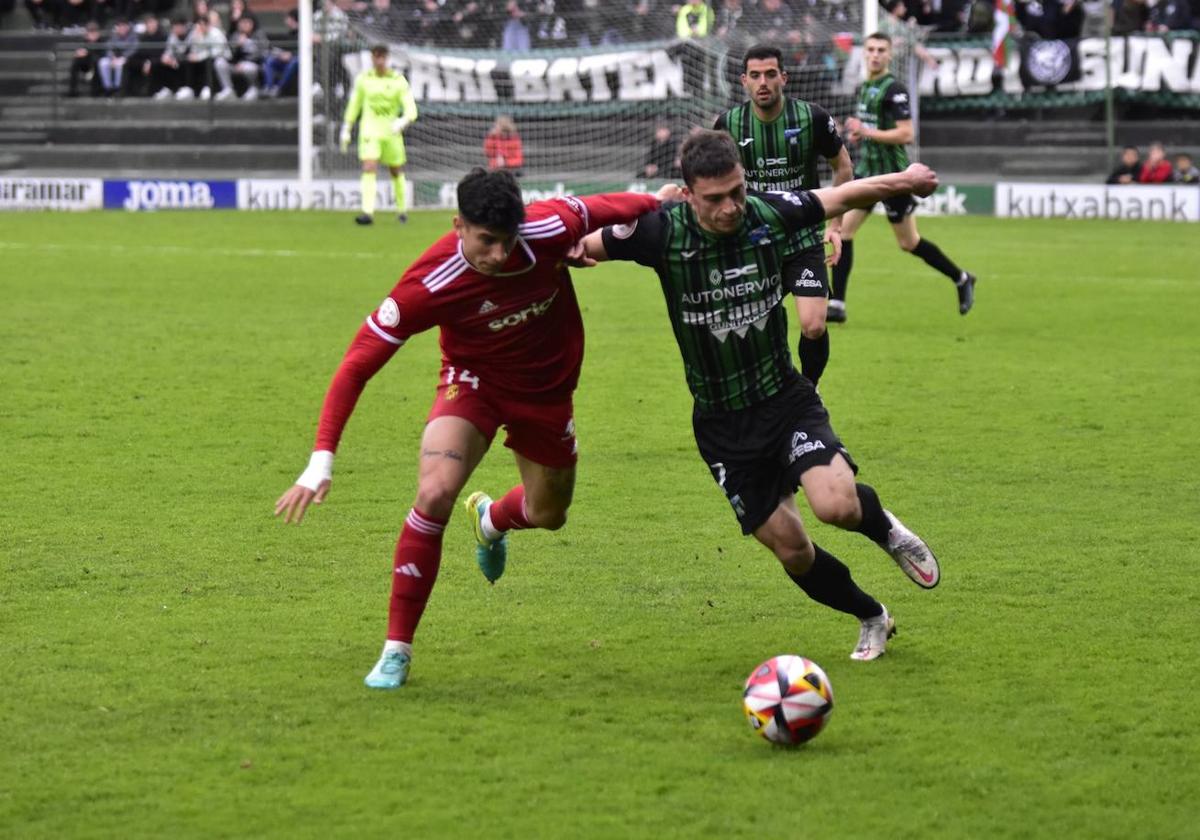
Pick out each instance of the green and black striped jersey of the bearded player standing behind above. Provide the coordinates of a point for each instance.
(784, 154)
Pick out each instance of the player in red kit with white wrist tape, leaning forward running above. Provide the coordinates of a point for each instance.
(512, 341)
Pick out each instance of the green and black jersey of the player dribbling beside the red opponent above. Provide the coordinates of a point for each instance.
(724, 293)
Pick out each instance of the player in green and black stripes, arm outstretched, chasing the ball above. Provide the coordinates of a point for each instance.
(760, 425)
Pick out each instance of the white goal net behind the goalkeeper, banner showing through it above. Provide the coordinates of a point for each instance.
(589, 95)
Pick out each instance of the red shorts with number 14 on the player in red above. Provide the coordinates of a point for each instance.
(542, 433)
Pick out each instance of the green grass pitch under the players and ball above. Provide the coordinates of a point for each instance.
(177, 663)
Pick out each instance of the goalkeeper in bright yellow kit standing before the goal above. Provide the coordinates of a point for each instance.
(383, 106)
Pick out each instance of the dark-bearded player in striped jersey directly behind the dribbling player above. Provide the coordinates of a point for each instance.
(781, 140)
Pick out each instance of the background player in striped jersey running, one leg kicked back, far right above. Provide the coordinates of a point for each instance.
(883, 129)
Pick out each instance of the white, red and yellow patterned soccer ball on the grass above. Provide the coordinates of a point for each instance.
(788, 700)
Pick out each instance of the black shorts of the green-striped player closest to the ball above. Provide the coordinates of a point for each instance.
(758, 455)
